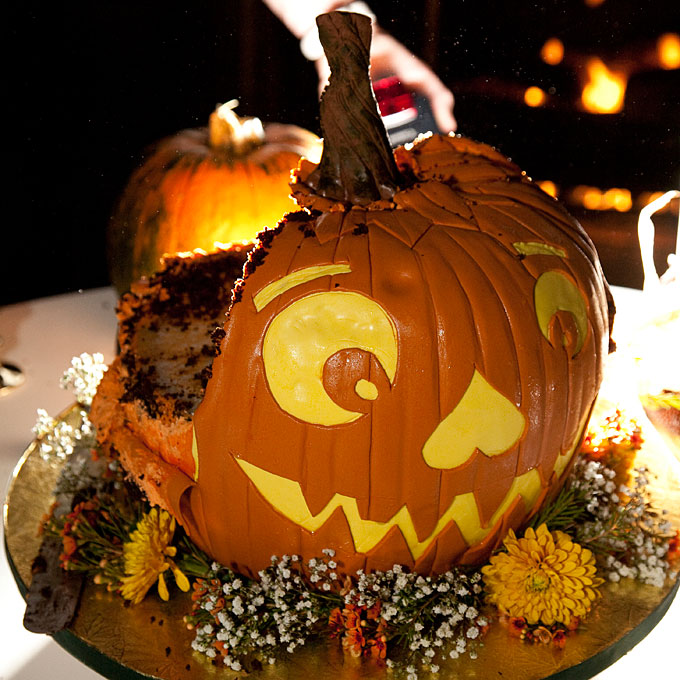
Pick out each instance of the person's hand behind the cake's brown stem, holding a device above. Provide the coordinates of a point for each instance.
(390, 57)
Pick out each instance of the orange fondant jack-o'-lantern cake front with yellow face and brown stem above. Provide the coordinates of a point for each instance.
(409, 363)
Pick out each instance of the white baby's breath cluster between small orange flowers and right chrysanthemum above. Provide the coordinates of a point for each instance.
(439, 617)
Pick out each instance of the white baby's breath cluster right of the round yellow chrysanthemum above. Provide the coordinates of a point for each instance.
(629, 537)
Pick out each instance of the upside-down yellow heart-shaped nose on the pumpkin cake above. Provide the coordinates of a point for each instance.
(483, 419)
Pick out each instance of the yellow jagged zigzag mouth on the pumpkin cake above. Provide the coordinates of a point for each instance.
(286, 496)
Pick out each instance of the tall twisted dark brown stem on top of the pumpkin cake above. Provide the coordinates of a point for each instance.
(357, 165)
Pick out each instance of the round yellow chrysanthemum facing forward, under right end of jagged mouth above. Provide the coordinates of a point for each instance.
(543, 577)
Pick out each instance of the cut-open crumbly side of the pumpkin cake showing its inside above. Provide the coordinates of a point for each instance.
(145, 403)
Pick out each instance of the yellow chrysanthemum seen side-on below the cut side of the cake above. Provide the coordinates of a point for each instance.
(148, 554)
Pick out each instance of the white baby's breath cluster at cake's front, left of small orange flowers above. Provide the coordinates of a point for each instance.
(259, 619)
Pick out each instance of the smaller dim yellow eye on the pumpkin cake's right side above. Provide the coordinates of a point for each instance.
(553, 293)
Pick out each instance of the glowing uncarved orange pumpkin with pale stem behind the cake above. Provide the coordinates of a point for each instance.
(222, 184)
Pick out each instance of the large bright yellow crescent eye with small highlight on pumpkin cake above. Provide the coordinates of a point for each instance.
(304, 335)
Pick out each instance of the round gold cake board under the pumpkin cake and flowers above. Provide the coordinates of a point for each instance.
(149, 640)
